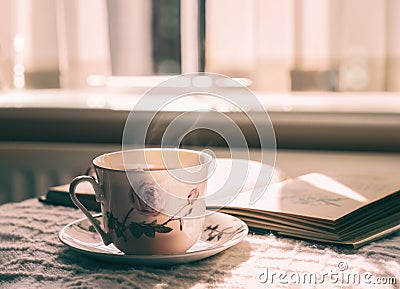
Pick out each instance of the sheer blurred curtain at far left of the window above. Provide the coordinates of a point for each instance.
(49, 44)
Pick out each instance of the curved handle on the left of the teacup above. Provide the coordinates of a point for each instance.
(99, 197)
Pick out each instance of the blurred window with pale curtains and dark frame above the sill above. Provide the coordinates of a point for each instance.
(288, 45)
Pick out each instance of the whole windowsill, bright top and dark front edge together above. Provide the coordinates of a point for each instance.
(309, 120)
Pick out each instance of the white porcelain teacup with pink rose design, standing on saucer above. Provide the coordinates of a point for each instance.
(151, 199)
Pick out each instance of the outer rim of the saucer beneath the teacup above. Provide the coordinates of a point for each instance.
(163, 259)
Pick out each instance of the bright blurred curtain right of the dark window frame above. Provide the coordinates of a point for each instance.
(343, 45)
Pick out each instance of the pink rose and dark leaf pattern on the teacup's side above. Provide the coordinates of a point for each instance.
(149, 229)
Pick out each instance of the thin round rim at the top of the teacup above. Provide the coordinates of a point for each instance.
(151, 149)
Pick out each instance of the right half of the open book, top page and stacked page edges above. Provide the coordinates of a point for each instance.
(348, 210)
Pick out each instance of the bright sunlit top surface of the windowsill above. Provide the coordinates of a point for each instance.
(321, 102)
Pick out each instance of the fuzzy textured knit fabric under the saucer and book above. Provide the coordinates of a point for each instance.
(31, 256)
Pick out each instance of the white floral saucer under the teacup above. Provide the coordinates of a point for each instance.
(80, 236)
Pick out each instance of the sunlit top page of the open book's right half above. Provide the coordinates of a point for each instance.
(320, 196)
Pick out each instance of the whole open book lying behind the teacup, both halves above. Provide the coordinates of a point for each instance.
(347, 209)
